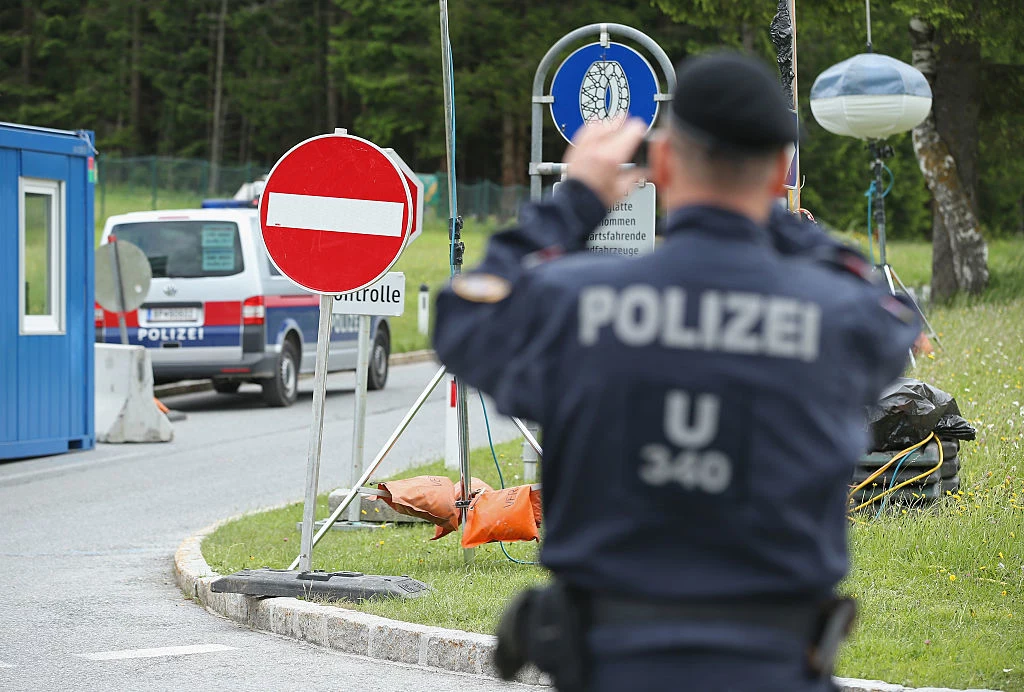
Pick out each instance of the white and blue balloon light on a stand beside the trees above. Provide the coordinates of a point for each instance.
(871, 97)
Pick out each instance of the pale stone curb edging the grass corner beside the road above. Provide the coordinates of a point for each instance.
(365, 635)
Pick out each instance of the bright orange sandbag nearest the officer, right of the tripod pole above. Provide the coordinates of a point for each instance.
(500, 515)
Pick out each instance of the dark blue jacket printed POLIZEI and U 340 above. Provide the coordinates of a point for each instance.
(702, 406)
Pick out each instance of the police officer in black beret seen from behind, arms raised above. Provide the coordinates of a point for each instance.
(703, 406)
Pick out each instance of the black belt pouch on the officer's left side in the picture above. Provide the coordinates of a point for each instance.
(546, 627)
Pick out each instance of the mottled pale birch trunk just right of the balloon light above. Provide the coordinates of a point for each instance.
(960, 256)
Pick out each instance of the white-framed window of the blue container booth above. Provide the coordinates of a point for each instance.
(41, 235)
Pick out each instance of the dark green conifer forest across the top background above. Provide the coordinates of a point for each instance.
(242, 81)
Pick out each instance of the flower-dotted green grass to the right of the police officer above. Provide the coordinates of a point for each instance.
(942, 590)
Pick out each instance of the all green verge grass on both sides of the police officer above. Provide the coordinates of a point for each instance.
(942, 589)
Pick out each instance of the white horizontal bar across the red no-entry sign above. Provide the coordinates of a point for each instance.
(335, 214)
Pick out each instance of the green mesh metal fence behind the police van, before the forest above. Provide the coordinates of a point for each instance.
(140, 184)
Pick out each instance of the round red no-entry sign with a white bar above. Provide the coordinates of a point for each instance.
(336, 213)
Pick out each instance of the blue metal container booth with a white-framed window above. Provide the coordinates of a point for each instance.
(47, 291)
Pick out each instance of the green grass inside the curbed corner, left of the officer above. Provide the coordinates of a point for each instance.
(463, 597)
